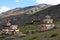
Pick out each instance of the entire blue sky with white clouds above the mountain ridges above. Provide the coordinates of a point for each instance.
(6, 5)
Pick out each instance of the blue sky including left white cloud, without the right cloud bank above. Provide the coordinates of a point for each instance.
(11, 4)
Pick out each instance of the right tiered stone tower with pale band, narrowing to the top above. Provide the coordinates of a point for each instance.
(47, 23)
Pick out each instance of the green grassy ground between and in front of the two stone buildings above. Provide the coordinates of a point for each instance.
(47, 35)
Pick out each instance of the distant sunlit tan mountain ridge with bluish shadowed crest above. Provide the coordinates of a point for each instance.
(25, 10)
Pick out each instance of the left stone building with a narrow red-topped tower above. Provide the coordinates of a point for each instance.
(10, 29)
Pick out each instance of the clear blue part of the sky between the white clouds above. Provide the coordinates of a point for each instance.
(17, 3)
